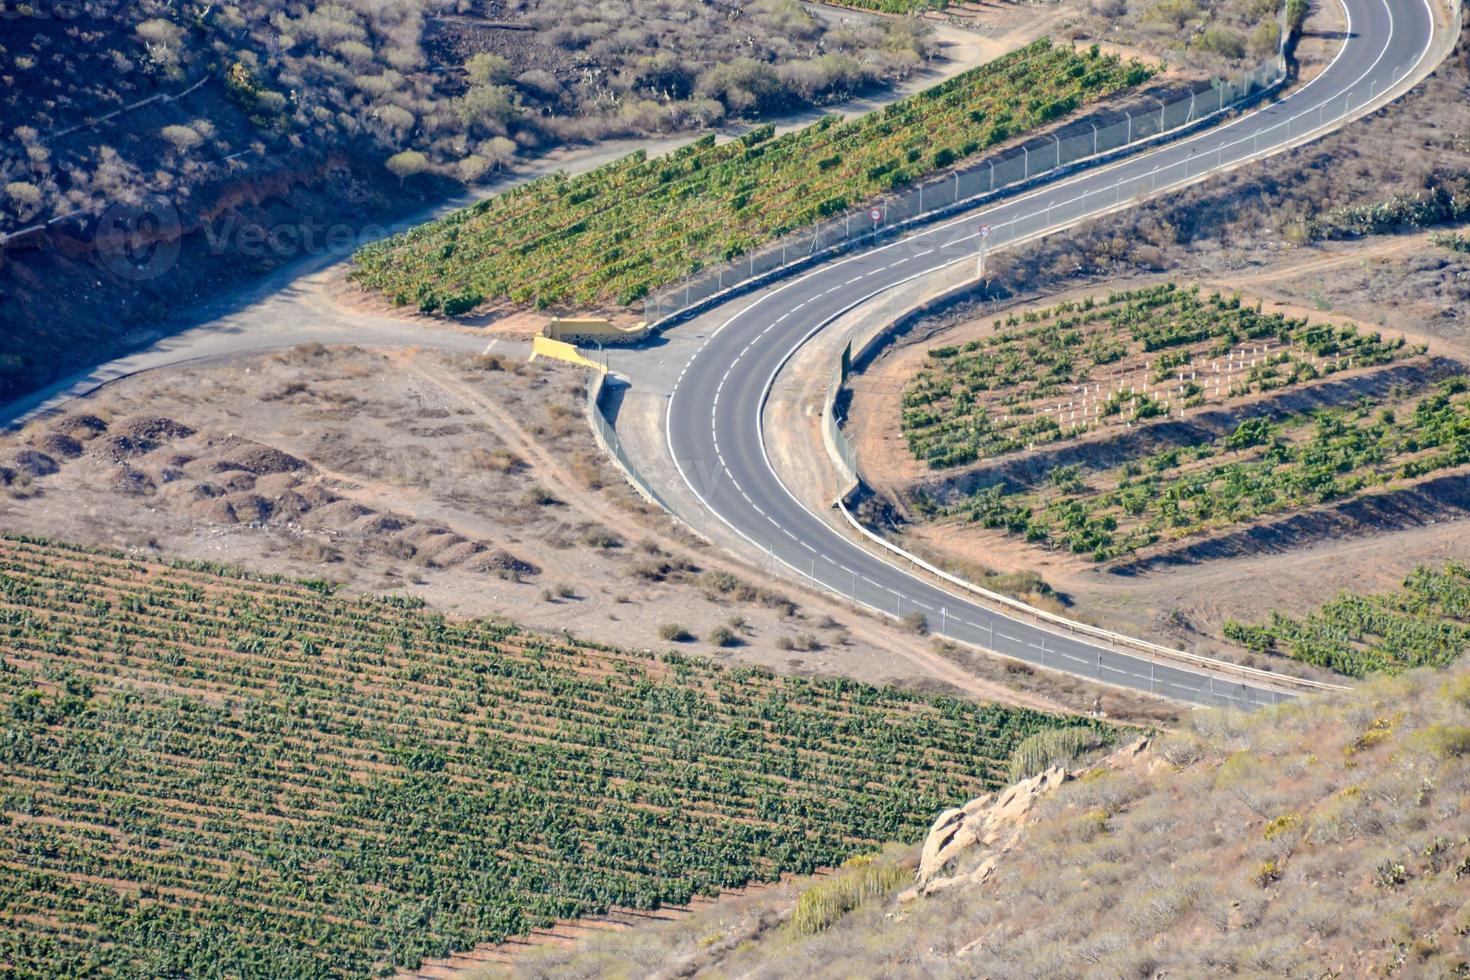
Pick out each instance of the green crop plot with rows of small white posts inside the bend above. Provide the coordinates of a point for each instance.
(1055, 374)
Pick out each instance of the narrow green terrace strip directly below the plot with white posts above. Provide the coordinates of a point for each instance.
(1262, 468)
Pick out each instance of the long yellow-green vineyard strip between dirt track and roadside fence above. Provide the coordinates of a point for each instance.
(624, 230)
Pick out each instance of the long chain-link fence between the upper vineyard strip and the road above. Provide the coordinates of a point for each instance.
(1075, 143)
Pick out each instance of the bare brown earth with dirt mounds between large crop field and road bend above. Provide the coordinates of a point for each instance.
(470, 481)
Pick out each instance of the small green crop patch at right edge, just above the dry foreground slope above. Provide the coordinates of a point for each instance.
(1425, 624)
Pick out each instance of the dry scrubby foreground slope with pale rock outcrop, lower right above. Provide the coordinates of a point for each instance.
(1327, 838)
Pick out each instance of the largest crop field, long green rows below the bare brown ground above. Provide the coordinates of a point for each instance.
(205, 774)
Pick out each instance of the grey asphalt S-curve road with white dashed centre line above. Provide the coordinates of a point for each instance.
(714, 422)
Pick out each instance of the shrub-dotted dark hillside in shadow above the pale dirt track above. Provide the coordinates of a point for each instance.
(155, 155)
